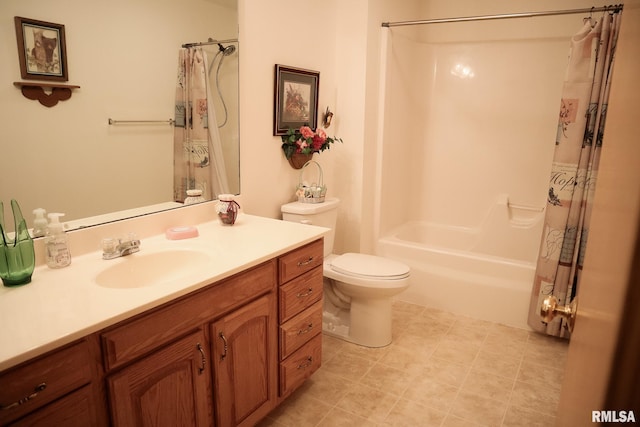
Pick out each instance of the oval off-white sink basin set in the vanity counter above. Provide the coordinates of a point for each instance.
(140, 269)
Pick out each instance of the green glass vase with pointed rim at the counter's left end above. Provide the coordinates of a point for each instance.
(17, 256)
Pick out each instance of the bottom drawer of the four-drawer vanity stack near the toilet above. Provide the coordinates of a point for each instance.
(300, 365)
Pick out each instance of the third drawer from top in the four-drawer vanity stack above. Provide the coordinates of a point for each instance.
(297, 331)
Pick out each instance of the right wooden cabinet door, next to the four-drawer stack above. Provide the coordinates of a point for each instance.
(245, 351)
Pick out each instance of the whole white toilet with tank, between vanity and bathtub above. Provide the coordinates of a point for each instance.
(358, 288)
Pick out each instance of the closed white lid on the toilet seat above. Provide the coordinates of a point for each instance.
(369, 266)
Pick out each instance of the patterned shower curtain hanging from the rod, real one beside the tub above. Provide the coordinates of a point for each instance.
(574, 170)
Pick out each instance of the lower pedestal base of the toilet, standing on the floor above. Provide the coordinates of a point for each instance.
(367, 323)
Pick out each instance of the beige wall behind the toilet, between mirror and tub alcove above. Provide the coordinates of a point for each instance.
(303, 34)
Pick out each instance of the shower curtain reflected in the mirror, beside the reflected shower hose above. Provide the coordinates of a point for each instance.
(198, 160)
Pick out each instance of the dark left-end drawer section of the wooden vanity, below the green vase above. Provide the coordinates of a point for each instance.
(57, 388)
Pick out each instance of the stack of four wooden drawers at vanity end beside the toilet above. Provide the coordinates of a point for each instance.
(300, 315)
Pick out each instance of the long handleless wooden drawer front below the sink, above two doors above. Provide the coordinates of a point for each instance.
(137, 337)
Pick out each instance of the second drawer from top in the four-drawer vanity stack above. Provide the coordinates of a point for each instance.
(300, 293)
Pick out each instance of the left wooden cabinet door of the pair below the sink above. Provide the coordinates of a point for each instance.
(171, 387)
